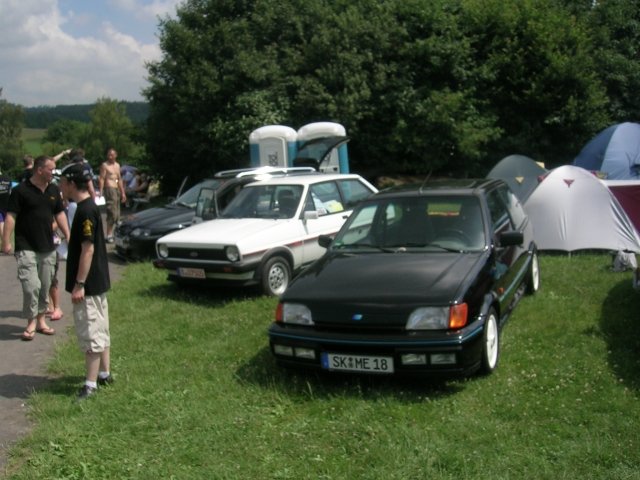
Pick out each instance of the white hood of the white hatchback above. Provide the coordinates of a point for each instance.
(241, 232)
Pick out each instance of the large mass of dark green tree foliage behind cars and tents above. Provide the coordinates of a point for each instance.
(441, 86)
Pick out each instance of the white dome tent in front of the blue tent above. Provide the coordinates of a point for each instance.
(572, 210)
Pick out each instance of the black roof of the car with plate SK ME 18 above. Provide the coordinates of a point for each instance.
(465, 186)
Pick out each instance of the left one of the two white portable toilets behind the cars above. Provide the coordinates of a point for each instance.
(273, 146)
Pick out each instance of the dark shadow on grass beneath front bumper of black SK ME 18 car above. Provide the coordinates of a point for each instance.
(301, 384)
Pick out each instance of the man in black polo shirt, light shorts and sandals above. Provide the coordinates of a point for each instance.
(33, 205)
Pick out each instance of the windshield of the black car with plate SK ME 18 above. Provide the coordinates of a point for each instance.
(440, 223)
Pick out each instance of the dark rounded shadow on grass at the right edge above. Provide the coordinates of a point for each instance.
(620, 326)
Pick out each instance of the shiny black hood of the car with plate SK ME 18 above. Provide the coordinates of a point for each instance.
(401, 278)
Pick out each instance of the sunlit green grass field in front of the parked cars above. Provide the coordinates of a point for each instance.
(198, 396)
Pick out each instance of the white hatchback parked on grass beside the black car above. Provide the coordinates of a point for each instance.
(267, 233)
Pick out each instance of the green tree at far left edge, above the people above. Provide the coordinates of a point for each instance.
(11, 124)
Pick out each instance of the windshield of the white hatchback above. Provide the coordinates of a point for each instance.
(265, 201)
